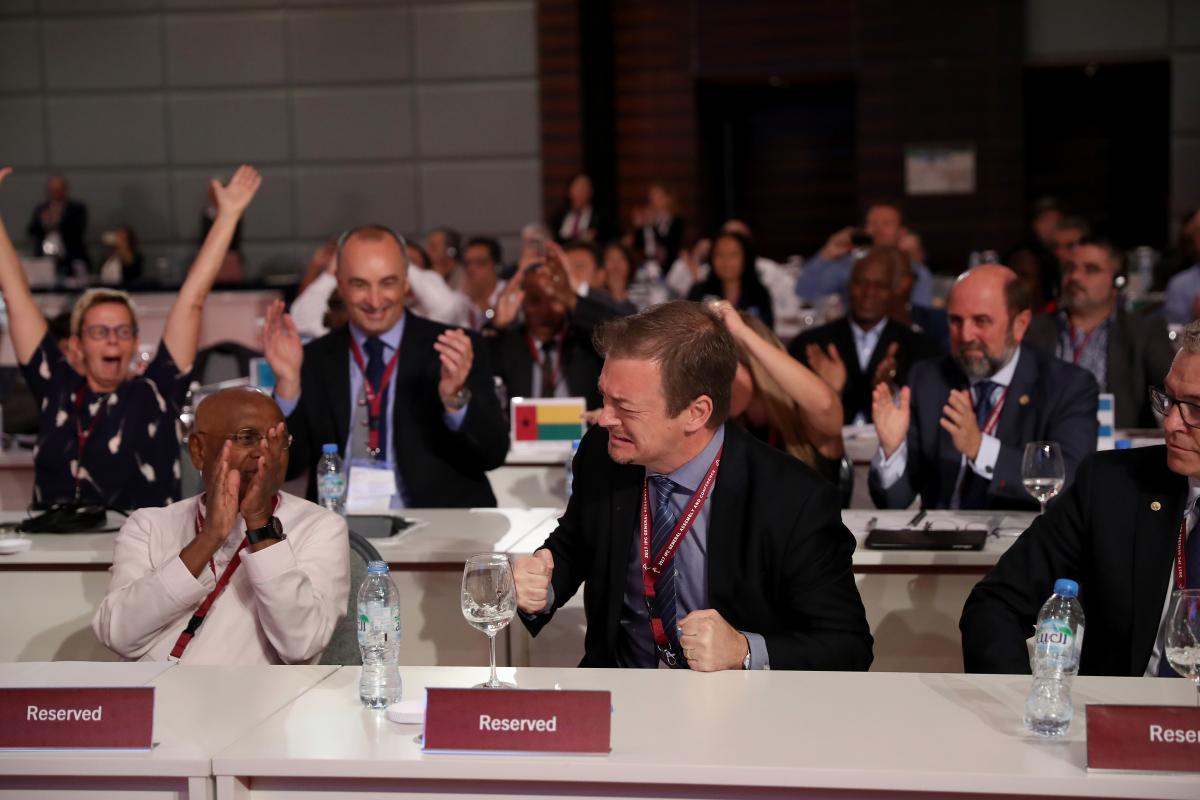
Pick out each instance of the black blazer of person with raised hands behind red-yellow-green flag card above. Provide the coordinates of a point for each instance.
(513, 362)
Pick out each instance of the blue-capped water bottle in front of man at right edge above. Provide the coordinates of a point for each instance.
(1057, 647)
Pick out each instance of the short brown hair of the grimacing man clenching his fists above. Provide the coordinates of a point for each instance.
(692, 347)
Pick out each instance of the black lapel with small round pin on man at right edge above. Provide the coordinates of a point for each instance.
(1154, 552)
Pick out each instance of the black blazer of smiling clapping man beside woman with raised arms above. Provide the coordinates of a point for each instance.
(441, 468)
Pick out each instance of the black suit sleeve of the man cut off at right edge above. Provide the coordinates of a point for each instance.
(1003, 610)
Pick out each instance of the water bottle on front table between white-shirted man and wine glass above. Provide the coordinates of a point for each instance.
(380, 639)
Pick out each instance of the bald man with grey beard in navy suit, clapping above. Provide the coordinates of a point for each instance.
(957, 435)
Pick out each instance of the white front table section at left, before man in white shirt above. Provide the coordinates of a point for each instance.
(199, 712)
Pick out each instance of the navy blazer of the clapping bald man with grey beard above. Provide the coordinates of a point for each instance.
(1048, 401)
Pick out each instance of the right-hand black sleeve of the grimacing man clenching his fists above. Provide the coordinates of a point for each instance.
(832, 630)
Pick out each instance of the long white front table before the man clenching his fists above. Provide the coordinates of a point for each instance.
(710, 736)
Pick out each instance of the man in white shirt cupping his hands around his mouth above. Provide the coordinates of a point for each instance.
(284, 603)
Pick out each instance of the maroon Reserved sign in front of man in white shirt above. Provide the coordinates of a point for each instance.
(67, 719)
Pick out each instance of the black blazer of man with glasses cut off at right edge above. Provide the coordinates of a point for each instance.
(1113, 532)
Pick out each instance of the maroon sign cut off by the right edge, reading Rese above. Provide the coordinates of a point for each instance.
(1147, 738)
